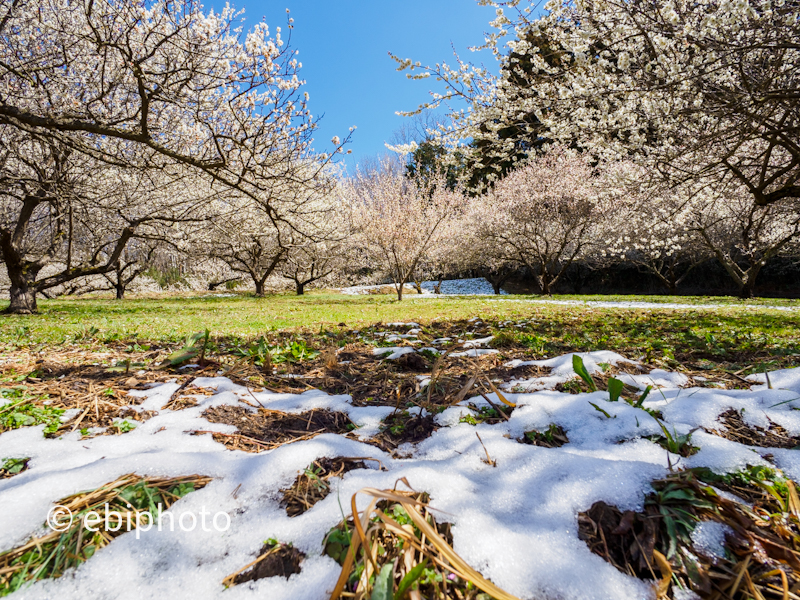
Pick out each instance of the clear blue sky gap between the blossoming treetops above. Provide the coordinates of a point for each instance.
(344, 47)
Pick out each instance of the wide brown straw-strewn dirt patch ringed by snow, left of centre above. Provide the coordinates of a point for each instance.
(266, 429)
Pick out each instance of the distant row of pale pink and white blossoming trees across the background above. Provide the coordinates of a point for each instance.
(382, 225)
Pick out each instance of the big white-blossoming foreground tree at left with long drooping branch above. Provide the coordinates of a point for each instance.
(150, 86)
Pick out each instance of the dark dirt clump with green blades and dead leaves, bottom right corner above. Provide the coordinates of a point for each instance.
(759, 558)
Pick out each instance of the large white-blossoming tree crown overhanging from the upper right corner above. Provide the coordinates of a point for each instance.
(694, 89)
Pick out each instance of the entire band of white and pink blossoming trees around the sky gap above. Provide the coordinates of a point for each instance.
(139, 135)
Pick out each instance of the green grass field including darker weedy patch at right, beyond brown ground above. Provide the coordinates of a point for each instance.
(738, 333)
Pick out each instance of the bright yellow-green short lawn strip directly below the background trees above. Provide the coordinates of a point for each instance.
(169, 318)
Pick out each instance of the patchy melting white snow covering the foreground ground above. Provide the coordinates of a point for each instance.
(516, 522)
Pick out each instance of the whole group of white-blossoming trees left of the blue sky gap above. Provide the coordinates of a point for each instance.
(127, 126)
